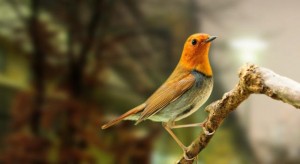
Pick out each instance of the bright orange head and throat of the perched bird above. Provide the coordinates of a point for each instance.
(195, 53)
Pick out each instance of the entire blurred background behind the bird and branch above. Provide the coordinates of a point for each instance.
(67, 67)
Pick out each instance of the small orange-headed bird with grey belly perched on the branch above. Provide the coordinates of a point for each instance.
(183, 93)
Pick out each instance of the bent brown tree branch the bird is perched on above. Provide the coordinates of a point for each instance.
(253, 79)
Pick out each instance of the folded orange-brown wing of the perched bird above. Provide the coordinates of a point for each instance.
(168, 92)
